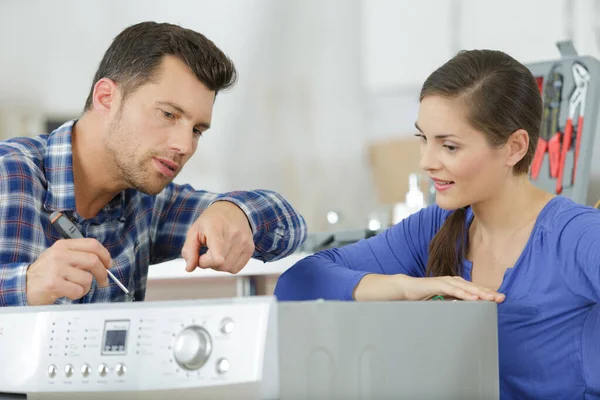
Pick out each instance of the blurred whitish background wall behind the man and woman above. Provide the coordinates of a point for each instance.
(322, 83)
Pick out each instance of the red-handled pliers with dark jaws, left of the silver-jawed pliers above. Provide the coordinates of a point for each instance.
(549, 139)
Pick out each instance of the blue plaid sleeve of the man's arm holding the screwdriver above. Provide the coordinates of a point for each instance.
(18, 212)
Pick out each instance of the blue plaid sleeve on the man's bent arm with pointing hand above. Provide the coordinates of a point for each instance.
(278, 229)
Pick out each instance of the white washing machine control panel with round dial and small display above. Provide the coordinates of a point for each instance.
(138, 346)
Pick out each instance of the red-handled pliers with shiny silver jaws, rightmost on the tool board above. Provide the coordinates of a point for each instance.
(581, 77)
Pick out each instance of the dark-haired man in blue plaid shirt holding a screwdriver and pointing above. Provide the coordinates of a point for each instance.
(111, 173)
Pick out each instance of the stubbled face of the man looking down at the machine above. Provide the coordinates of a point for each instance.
(155, 131)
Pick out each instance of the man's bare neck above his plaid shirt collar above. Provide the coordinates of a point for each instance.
(93, 178)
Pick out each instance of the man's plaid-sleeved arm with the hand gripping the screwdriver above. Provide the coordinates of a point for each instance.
(33, 272)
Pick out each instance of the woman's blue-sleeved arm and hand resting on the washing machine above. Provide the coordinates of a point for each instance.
(389, 266)
